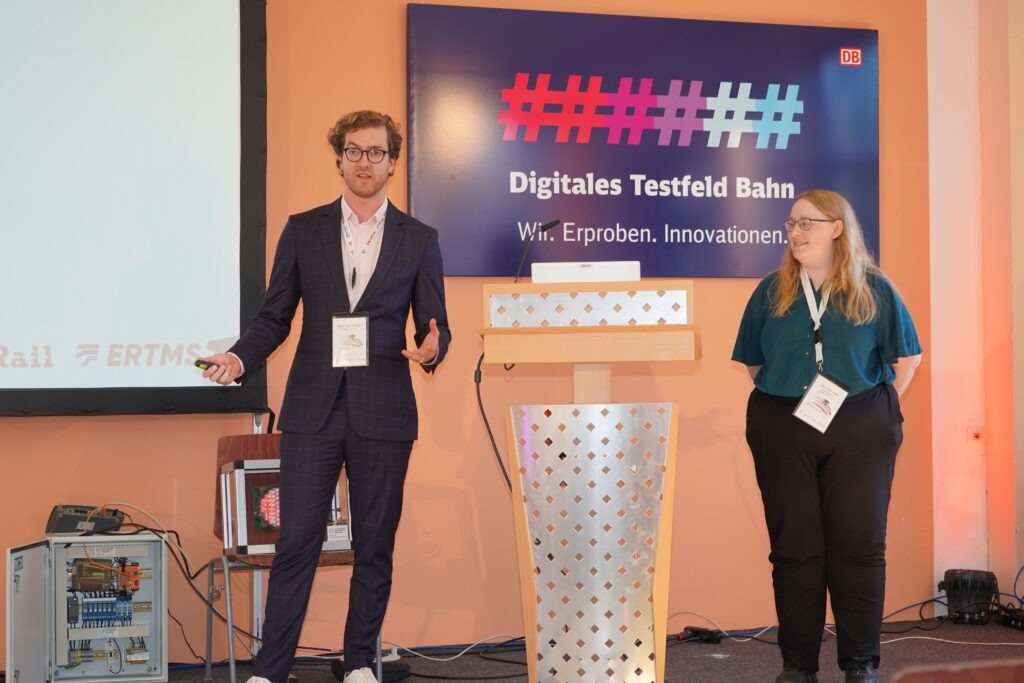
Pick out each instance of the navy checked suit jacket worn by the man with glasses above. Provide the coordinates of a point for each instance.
(308, 266)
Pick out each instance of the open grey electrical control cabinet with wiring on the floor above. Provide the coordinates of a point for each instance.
(88, 610)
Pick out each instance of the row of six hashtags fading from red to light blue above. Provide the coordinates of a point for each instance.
(632, 110)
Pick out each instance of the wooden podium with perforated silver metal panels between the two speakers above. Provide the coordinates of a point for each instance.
(592, 479)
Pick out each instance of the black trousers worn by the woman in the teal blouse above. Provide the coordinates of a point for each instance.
(826, 499)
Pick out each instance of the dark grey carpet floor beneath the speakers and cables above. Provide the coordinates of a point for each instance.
(729, 662)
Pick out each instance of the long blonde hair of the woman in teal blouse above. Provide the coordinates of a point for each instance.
(851, 265)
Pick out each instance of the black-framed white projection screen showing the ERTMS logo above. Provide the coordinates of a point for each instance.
(133, 202)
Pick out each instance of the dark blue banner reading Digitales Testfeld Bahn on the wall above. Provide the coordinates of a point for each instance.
(676, 143)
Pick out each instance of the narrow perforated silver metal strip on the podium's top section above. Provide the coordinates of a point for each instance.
(541, 310)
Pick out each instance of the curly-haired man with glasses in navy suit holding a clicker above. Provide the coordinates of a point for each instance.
(359, 266)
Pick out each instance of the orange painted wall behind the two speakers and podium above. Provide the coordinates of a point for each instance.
(456, 580)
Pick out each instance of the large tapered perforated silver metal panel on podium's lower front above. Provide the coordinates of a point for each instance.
(592, 478)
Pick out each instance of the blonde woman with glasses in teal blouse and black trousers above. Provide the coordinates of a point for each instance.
(831, 348)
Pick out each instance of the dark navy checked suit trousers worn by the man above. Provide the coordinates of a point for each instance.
(311, 465)
